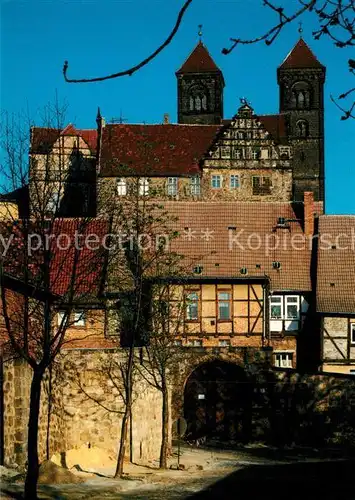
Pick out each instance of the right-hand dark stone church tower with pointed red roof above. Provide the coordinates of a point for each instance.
(301, 79)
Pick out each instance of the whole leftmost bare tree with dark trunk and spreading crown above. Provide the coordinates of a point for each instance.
(43, 269)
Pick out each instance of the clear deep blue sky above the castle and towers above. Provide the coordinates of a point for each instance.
(104, 36)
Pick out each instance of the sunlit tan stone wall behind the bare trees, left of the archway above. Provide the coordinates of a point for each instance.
(81, 401)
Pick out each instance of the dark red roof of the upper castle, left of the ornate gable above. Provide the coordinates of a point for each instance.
(154, 149)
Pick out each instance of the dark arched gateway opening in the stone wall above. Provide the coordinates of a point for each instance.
(217, 402)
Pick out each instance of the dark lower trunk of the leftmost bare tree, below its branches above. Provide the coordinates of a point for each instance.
(32, 440)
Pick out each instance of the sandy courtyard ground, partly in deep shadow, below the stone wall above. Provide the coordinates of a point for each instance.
(248, 473)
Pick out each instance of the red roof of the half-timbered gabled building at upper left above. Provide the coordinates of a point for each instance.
(43, 138)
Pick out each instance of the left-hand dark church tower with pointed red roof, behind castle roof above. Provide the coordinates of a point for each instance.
(200, 89)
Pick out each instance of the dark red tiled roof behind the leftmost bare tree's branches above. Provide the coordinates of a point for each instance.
(73, 264)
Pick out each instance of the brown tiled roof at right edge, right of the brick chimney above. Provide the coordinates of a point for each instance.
(336, 266)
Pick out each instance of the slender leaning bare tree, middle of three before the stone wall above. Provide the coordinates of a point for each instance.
(145, 231)
